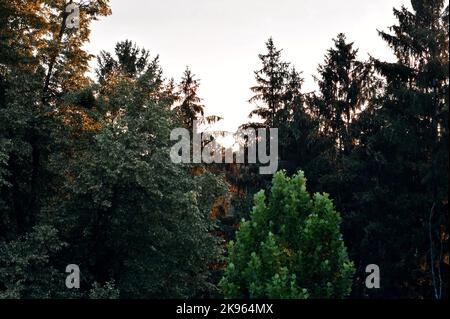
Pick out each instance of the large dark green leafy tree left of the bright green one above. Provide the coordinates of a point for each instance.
(145, 220)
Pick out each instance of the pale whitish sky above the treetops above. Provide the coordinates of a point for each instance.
(220, 40)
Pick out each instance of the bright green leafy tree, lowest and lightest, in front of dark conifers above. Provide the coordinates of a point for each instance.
(290, 248)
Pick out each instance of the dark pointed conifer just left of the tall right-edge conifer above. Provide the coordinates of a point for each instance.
(346, 85)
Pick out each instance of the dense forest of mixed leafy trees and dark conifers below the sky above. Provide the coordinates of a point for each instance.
(86, 178)
